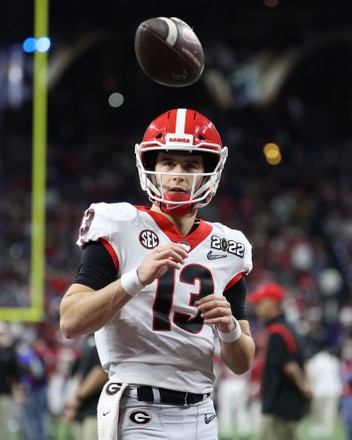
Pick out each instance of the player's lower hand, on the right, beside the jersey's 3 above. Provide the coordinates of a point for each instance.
(215, 309)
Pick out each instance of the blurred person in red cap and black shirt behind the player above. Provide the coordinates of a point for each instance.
(285, 388)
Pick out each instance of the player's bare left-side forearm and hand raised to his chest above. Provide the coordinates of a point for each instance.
(84, 309)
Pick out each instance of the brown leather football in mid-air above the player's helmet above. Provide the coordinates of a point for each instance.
(169, 52)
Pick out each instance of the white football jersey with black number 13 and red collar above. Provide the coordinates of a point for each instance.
(158, 338)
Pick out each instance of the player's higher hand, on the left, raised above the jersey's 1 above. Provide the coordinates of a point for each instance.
(159, 260)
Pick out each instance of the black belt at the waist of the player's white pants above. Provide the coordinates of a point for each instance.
(168, 397)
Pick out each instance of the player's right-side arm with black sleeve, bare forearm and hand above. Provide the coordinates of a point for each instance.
(220, 310)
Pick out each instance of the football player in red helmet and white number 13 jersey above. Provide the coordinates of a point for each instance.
(158, 284)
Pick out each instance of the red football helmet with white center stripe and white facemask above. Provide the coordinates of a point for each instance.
(181, 130)
